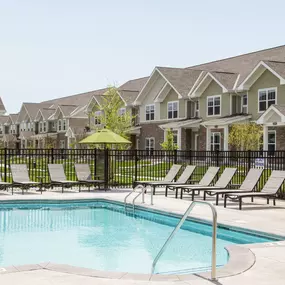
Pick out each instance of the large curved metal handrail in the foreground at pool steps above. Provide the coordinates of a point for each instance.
(214, 236)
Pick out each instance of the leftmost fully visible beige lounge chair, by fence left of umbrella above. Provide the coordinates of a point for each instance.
(20, 177)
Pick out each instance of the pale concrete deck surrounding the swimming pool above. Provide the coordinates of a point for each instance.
(266, 267)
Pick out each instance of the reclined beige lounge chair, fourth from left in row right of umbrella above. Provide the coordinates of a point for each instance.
(221, 183)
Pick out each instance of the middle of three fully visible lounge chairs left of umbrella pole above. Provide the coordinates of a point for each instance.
(58, 178)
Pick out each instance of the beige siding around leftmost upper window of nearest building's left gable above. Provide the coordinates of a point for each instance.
(150, 97)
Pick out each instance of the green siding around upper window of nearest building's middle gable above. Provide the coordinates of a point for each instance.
(214, 89)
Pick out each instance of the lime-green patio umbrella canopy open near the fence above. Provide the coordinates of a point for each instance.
(105, 136)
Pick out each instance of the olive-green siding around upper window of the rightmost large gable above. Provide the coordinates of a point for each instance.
(266, 80)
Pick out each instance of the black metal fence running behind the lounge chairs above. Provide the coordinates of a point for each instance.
(121, 168)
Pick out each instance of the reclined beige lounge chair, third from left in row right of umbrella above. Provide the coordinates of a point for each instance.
(206, 180)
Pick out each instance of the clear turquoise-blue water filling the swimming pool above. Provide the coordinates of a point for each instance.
(101, 236)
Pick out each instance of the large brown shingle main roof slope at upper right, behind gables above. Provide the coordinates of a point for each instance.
(243, 64)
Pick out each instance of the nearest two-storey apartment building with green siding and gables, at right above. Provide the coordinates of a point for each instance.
(200, 103)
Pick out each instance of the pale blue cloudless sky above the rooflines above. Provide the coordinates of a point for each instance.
(56, 48)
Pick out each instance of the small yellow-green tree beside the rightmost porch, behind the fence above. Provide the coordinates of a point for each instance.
(245, 136)
